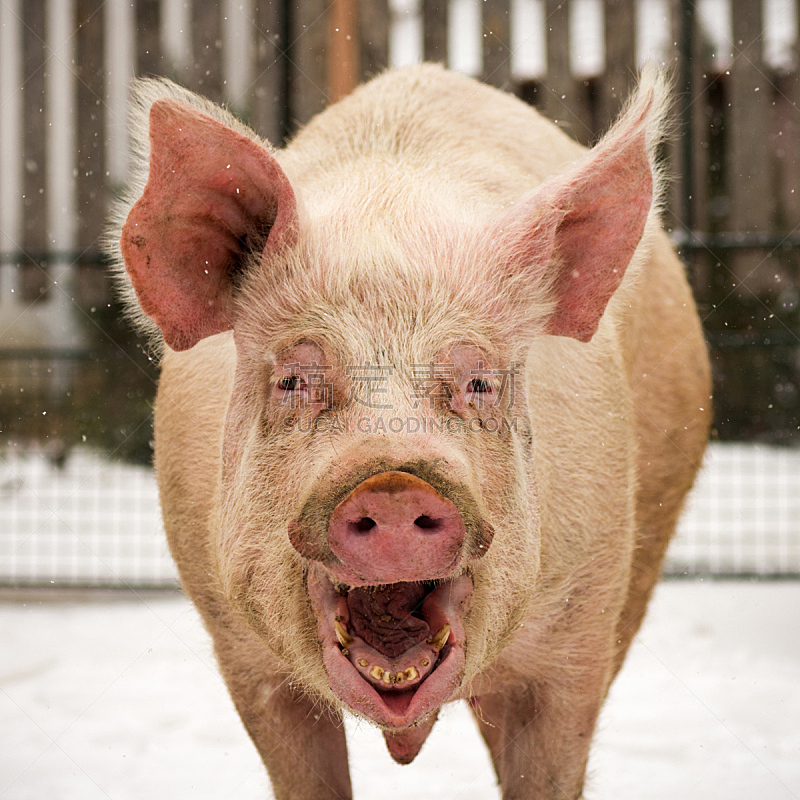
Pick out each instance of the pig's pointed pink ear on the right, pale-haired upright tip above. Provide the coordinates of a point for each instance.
(577, 233)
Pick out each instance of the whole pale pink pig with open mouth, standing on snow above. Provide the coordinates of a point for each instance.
(433, 391)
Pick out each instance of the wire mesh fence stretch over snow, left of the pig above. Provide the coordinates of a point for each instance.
(80, 520)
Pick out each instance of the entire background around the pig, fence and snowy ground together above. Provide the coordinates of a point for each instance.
(108, 687)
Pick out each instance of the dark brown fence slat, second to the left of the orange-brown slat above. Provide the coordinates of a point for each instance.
(270, 99)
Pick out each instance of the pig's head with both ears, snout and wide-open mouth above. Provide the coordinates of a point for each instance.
(378, 523)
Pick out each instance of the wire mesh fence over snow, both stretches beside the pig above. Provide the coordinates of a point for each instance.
(84, 520)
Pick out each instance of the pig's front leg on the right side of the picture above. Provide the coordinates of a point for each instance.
(539, 738)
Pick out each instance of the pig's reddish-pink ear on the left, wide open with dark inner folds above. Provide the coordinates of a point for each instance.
(212, 196)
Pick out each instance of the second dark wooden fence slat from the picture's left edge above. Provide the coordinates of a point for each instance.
(90, 140)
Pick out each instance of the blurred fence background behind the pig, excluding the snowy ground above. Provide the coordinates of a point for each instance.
(77, 498)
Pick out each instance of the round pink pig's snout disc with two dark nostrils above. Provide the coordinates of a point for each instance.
(396, 527)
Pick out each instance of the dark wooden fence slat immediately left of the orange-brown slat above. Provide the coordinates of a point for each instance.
(308, 81)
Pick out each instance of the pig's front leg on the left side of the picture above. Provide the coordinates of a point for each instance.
(301, 742)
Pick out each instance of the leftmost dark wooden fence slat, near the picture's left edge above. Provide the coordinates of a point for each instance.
(34, 279)
